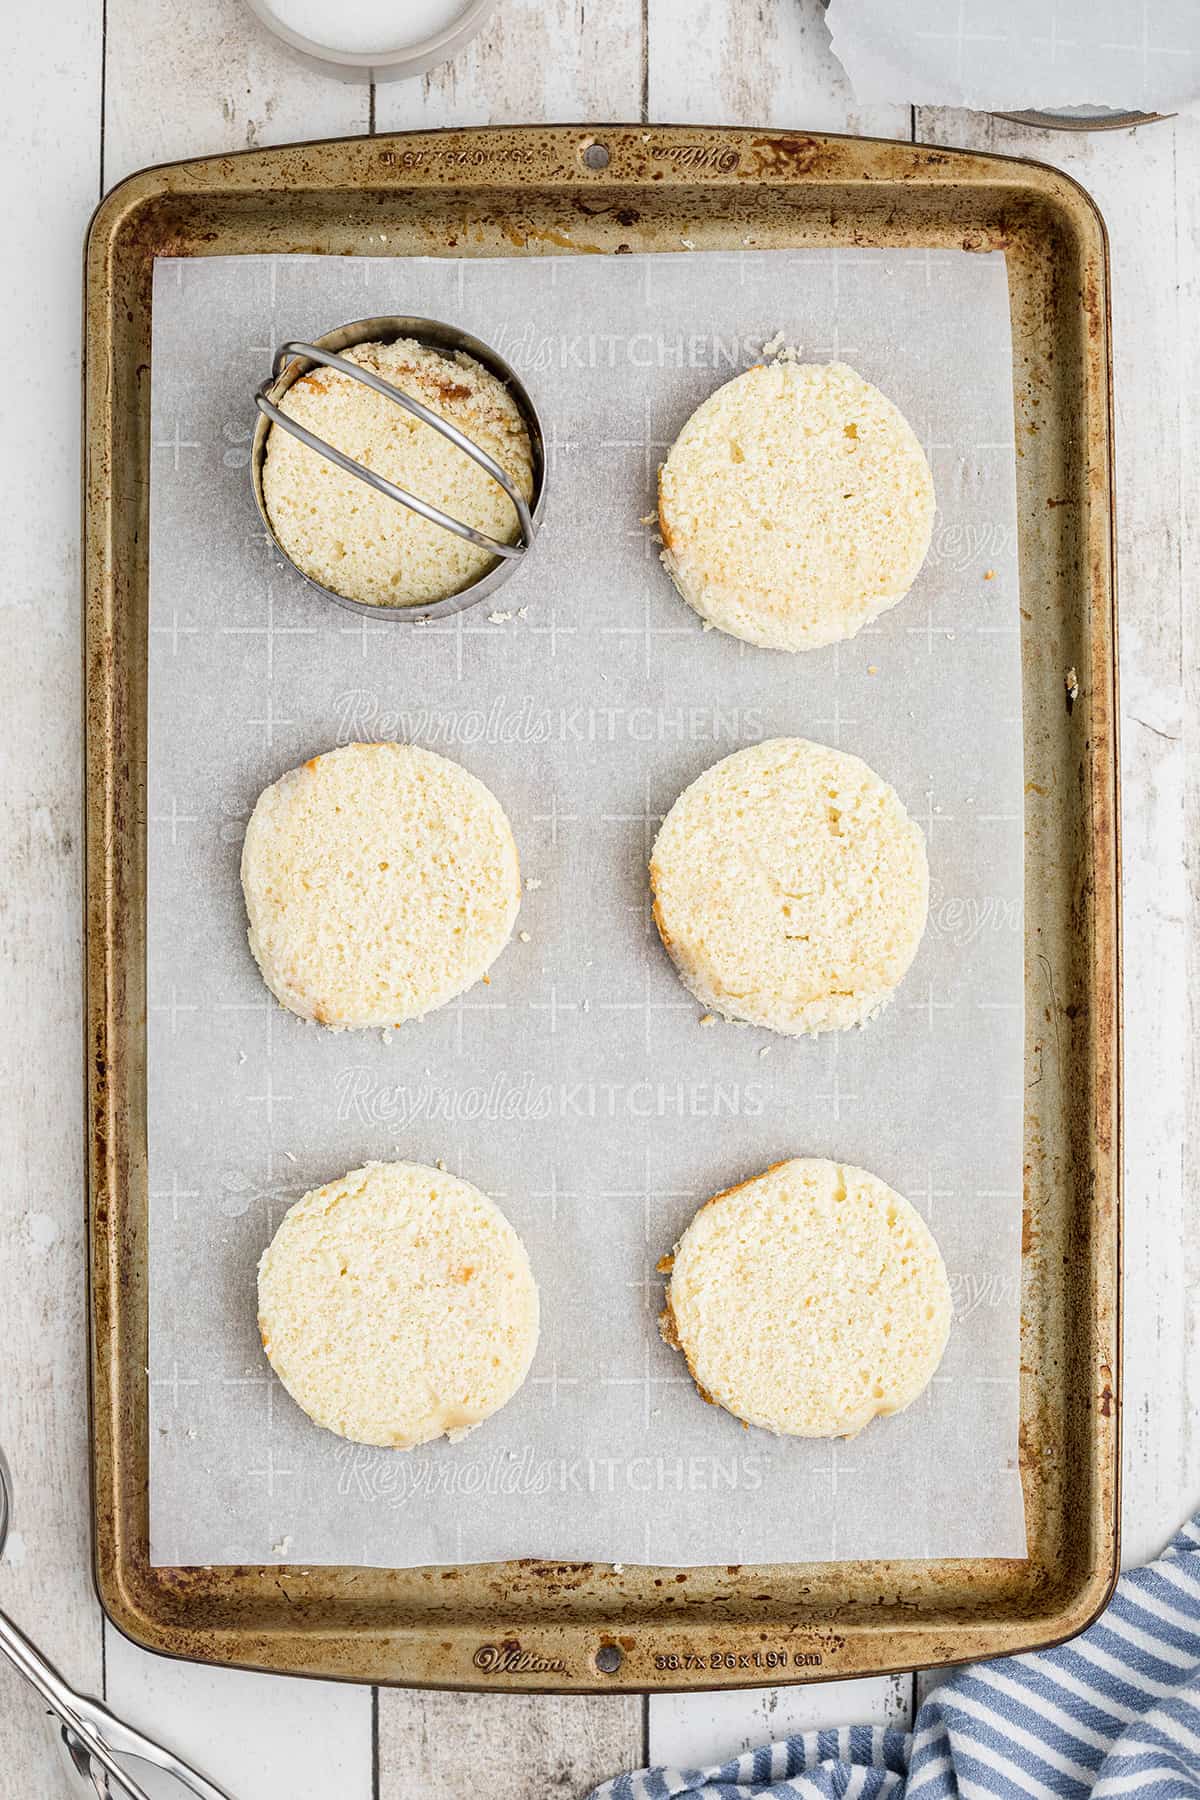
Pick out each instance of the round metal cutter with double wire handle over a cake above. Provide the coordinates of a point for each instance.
(294, 361)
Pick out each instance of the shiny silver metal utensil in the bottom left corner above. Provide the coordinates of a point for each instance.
(91, 1731)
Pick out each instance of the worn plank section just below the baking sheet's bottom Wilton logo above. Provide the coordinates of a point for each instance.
(460, 1747)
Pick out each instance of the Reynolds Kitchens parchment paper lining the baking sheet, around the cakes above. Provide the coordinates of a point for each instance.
(580, 1088)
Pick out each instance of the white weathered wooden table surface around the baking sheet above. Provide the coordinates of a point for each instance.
(94, 91)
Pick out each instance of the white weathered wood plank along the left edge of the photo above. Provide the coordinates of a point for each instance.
(51, 184)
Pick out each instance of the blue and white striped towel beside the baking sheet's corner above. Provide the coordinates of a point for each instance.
(1113, 1713)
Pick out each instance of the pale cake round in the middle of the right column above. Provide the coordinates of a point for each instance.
(791, 888)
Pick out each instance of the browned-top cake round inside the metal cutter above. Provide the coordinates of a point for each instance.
(361, 543)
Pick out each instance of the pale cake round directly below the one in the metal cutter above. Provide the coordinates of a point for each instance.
(382, 881)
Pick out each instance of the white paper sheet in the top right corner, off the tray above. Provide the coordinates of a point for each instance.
(1021, 55)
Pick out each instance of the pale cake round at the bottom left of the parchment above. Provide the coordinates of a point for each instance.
(399, 1306)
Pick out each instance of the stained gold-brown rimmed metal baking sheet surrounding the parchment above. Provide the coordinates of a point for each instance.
(532, 192)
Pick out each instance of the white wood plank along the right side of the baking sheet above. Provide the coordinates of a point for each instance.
(1143, 181)
